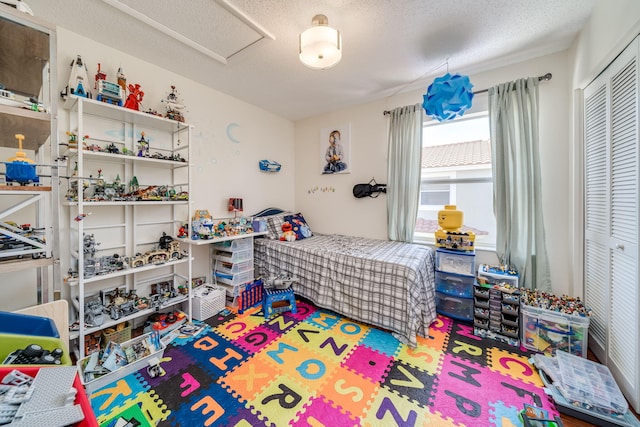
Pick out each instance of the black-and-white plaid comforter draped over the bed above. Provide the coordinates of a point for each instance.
(386, 284)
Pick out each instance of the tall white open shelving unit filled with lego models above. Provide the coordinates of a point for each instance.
(126, 195)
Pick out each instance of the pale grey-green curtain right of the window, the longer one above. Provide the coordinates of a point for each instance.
(517, 202)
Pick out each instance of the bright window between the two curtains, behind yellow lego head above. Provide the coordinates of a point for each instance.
(456, 170)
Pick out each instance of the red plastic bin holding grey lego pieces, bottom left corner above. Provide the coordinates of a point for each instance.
(80, 398)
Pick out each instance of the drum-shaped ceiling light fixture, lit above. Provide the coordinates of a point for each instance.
(320, 46)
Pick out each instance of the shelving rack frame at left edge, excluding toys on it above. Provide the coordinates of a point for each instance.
(29, 69)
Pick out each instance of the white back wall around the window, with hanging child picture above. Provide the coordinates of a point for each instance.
(338, 211)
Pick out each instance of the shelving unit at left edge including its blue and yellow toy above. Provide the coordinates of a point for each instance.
(26, 195)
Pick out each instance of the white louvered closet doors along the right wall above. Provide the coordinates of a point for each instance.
(611, 216)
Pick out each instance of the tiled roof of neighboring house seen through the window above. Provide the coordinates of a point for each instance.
(459, 154)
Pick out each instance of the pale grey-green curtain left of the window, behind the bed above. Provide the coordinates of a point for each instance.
(404, 157)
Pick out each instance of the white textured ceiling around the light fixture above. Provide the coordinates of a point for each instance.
(389, 45)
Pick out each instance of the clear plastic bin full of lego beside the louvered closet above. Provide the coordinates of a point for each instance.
(547, 331)
